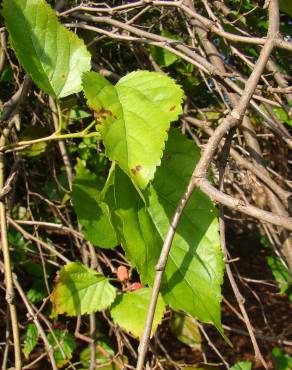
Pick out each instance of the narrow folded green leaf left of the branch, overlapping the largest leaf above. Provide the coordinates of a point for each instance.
(133, 224)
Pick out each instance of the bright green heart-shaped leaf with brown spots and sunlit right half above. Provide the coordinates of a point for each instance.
(134, 117)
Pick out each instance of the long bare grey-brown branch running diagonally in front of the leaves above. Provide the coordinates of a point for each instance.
(200, 173)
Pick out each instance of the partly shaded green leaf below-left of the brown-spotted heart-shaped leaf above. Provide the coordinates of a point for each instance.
(93, 215)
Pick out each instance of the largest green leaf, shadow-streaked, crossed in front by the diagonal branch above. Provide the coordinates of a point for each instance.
(195, 265)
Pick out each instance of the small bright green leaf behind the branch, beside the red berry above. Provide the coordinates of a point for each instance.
(130, 310)
